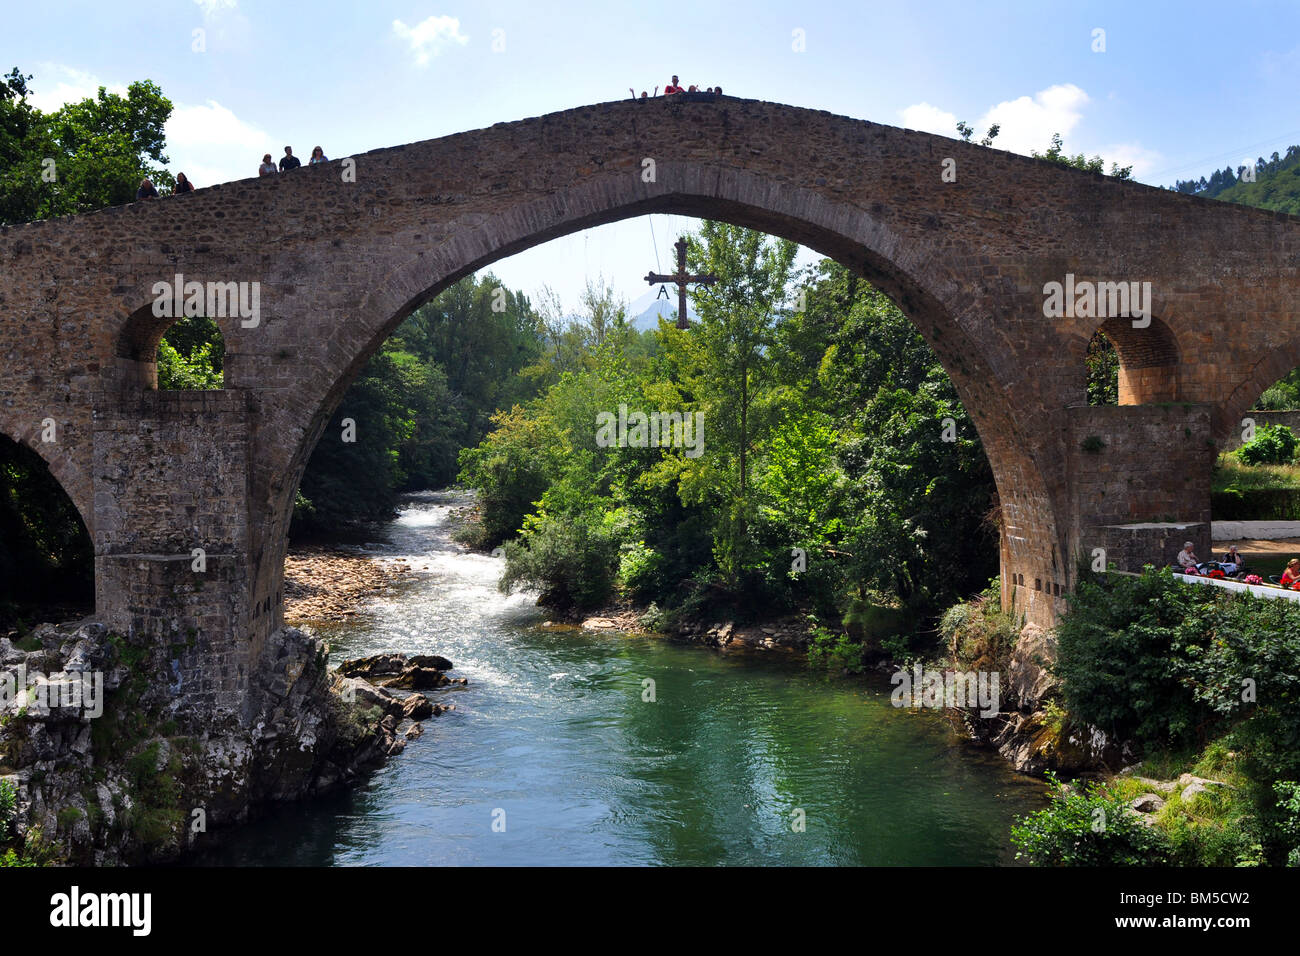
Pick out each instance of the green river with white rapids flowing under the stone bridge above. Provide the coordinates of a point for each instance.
(554, 756)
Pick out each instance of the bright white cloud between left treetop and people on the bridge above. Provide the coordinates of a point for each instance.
(211, 145)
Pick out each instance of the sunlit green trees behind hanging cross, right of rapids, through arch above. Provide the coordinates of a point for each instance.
(824, 481)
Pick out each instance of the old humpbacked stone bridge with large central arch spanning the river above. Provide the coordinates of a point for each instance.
(963, 237)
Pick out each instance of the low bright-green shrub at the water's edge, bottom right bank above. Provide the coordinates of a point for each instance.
(1089, 828)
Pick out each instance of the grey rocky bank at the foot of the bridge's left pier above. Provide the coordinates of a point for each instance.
(99, 764)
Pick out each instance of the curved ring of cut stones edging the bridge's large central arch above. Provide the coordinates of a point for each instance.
(917, 276)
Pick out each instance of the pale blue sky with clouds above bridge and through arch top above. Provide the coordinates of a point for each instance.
(1180, 90)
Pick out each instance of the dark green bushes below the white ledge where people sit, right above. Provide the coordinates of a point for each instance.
(1167, 665)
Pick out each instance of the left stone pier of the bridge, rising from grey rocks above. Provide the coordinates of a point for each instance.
(172, 543)
